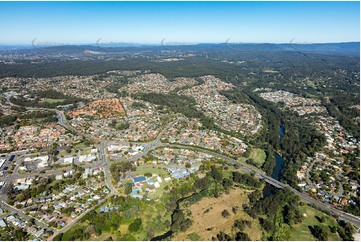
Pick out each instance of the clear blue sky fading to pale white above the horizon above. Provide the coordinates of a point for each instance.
(56, 23)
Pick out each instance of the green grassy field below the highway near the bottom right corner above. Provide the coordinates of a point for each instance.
(301, 232)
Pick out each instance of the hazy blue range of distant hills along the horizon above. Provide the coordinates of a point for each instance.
(347, 48)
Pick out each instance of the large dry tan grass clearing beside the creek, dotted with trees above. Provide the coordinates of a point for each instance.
(208, 220)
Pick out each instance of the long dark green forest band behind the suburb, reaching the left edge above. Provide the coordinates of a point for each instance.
(84, 68)
